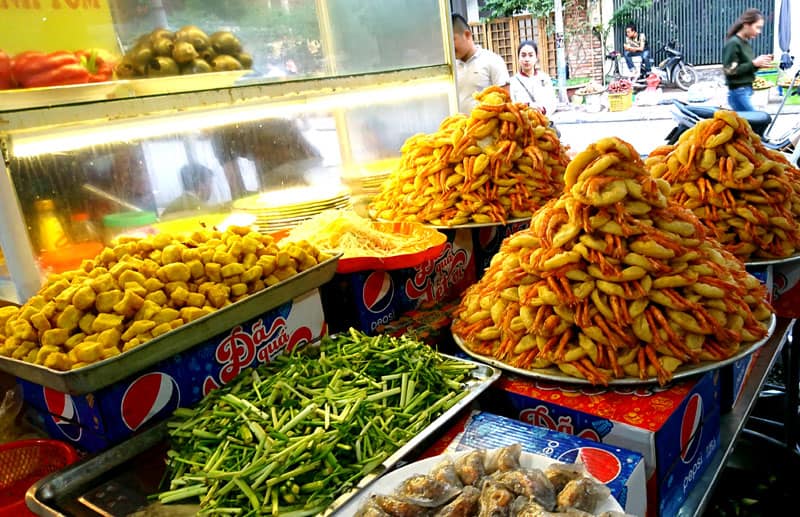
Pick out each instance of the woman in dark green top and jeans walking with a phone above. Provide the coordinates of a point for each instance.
(739, 62)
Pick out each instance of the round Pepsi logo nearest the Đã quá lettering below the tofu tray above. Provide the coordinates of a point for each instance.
(153, 395)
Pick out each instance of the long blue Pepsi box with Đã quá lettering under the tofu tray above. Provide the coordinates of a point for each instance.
(95, 421)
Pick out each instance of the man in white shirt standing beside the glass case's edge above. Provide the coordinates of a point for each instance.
(476, 68)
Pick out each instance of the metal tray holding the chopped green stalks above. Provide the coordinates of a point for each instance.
(75, 489)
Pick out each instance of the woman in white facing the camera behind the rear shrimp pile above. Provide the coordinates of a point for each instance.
(531, 85)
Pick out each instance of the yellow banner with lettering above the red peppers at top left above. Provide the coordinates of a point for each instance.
(50, 25)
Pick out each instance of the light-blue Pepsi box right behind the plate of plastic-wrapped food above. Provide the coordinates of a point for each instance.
(623, 471)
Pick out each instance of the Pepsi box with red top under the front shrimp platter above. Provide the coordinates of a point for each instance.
(676, 428)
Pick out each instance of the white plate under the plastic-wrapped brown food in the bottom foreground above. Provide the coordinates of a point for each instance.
(392, 481)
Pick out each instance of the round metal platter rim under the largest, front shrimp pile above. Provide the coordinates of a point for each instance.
(553, 374)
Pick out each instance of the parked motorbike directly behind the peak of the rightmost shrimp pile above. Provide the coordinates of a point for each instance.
(761, 122)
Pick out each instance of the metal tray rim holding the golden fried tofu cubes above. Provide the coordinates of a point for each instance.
(104, 373)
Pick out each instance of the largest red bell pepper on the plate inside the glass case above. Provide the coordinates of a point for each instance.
(36, 69)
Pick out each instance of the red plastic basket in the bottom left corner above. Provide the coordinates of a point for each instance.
(22, 464)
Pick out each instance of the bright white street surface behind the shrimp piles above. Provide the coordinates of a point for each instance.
(646, 127)
